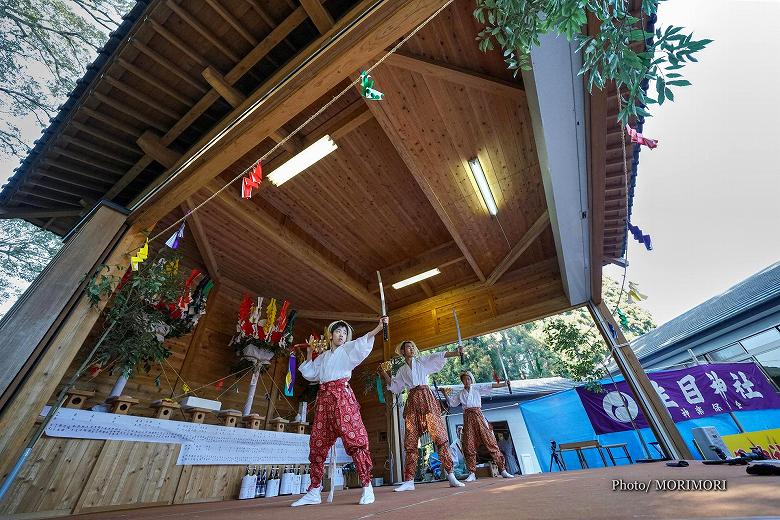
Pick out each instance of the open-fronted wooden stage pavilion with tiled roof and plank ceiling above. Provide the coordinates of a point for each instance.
(186, 95)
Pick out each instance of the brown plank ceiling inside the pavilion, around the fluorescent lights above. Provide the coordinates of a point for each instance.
(397, 196)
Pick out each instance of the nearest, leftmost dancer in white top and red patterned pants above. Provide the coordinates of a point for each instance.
(338, 412)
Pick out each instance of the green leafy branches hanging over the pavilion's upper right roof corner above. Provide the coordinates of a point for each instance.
(609, 55)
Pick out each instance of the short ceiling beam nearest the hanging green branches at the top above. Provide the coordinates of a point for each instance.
(459, 75)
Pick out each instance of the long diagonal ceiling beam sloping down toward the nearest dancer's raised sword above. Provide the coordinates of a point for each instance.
(274, 232)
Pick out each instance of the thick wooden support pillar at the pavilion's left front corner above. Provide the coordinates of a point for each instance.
(43, 333)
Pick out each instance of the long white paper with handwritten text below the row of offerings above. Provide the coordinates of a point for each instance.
(200, 443)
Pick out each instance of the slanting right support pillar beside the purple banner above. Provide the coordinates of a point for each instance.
(648, 400)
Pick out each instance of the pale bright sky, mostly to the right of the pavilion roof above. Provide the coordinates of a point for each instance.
(708, 194)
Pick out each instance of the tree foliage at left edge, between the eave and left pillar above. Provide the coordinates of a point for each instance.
(24, 252)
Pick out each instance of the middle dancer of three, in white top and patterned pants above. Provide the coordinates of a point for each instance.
(421, 412)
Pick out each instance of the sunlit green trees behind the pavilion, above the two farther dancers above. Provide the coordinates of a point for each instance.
(566, 345)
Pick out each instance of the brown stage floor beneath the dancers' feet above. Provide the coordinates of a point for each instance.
(569, 495)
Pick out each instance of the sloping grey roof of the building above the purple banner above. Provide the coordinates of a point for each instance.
(756, 290)
